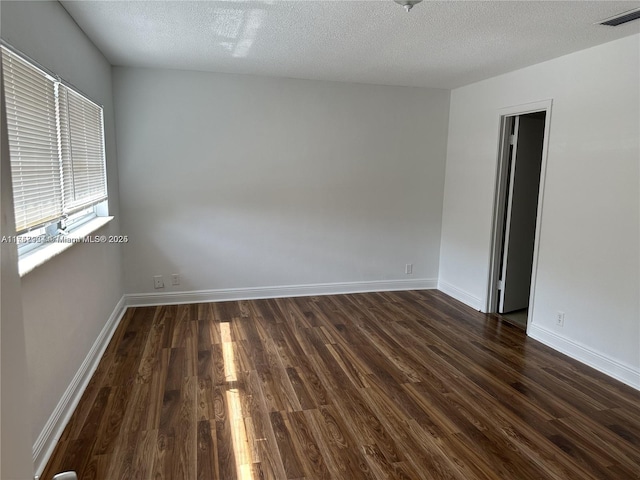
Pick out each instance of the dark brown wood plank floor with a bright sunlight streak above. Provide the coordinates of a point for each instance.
(406, 385)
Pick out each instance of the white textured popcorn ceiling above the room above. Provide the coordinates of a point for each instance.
(438, 44)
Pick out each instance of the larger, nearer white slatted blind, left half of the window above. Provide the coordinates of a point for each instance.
(33, 143)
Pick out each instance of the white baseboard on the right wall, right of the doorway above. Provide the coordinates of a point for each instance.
(603, 363)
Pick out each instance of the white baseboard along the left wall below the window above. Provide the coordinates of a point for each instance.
(53, 429)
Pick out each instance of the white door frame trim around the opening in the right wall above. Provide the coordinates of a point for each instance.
(506, 117)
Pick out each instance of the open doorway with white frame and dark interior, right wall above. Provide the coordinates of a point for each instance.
(517, 209)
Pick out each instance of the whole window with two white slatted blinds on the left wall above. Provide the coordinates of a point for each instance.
(56, 145)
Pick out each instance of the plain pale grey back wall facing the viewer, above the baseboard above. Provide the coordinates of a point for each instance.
(241, 181)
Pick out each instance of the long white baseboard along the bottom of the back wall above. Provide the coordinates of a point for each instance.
(226, 294)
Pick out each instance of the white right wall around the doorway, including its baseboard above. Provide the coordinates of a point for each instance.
(589, 265)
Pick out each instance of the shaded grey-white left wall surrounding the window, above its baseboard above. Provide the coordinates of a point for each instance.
(68, 300)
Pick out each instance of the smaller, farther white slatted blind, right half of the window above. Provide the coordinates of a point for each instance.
(82, 149)
